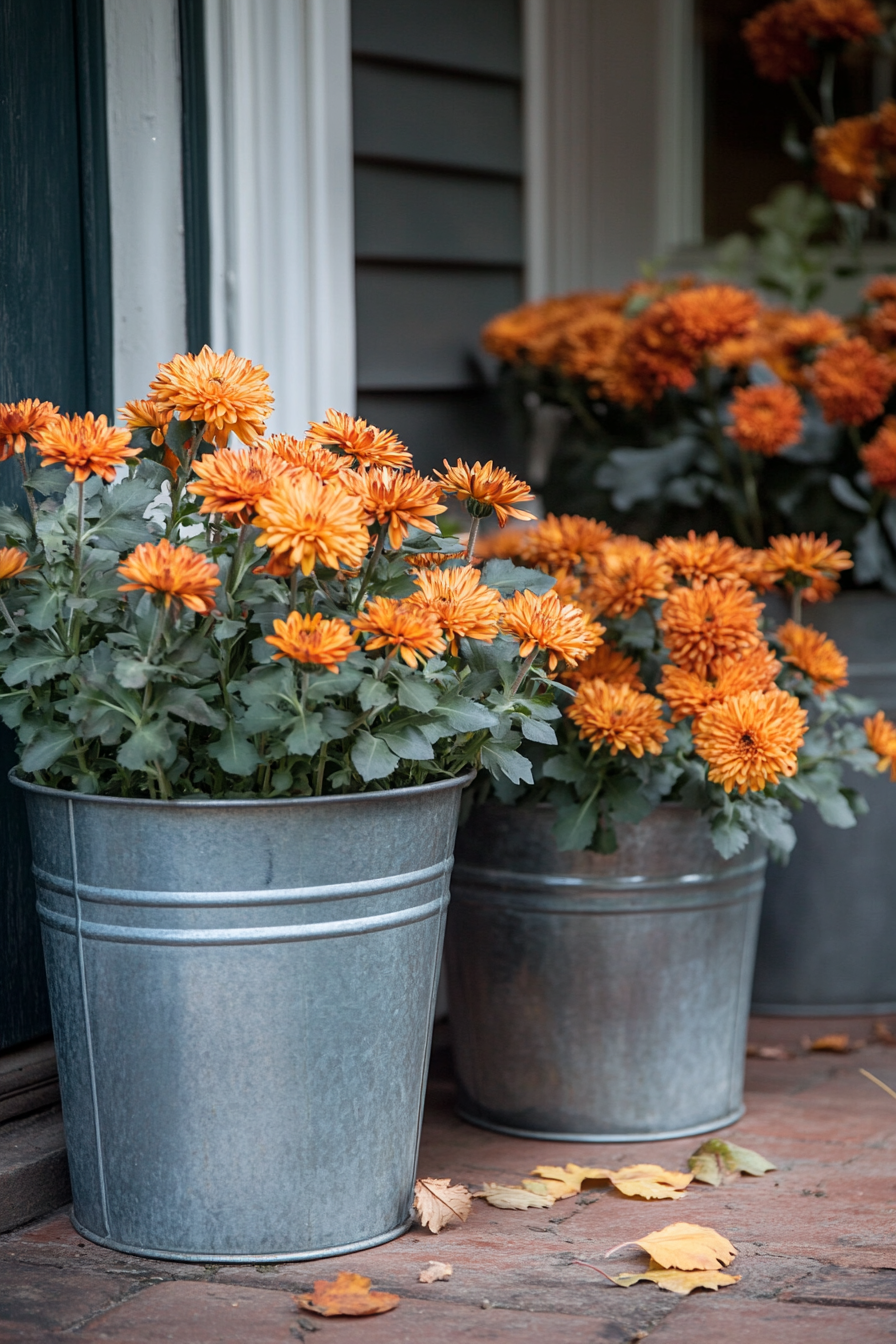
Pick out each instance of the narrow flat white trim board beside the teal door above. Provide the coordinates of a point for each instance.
(146, 190)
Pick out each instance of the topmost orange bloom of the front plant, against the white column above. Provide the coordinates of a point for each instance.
(228, 394)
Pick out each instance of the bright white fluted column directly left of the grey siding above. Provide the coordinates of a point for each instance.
(283, 268)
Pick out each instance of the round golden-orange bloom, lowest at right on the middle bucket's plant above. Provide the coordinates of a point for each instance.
(752, 740)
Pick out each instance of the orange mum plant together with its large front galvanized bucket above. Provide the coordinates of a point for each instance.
(248, 693)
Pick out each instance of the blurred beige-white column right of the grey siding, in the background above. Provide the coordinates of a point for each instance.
(613, 166)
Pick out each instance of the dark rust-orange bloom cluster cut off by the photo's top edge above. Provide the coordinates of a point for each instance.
(780, 36)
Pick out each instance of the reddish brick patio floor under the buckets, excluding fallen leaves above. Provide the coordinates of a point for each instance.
(816, 1240)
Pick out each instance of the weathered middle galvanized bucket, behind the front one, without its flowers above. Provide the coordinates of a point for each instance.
(601, 998)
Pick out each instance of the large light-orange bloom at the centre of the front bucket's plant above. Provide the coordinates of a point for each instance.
(306, 521)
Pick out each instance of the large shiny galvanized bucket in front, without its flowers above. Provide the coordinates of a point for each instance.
(242, 999)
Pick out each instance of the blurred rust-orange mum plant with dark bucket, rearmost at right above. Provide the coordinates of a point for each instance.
(698, 407)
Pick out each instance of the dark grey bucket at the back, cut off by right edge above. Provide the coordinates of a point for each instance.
(828, 931)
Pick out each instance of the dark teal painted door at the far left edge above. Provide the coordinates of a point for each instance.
(56, 341)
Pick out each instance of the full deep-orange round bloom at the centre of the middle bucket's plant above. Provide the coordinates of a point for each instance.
(705, 624)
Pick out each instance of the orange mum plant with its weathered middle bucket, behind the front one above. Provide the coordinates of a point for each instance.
(604, 919)
